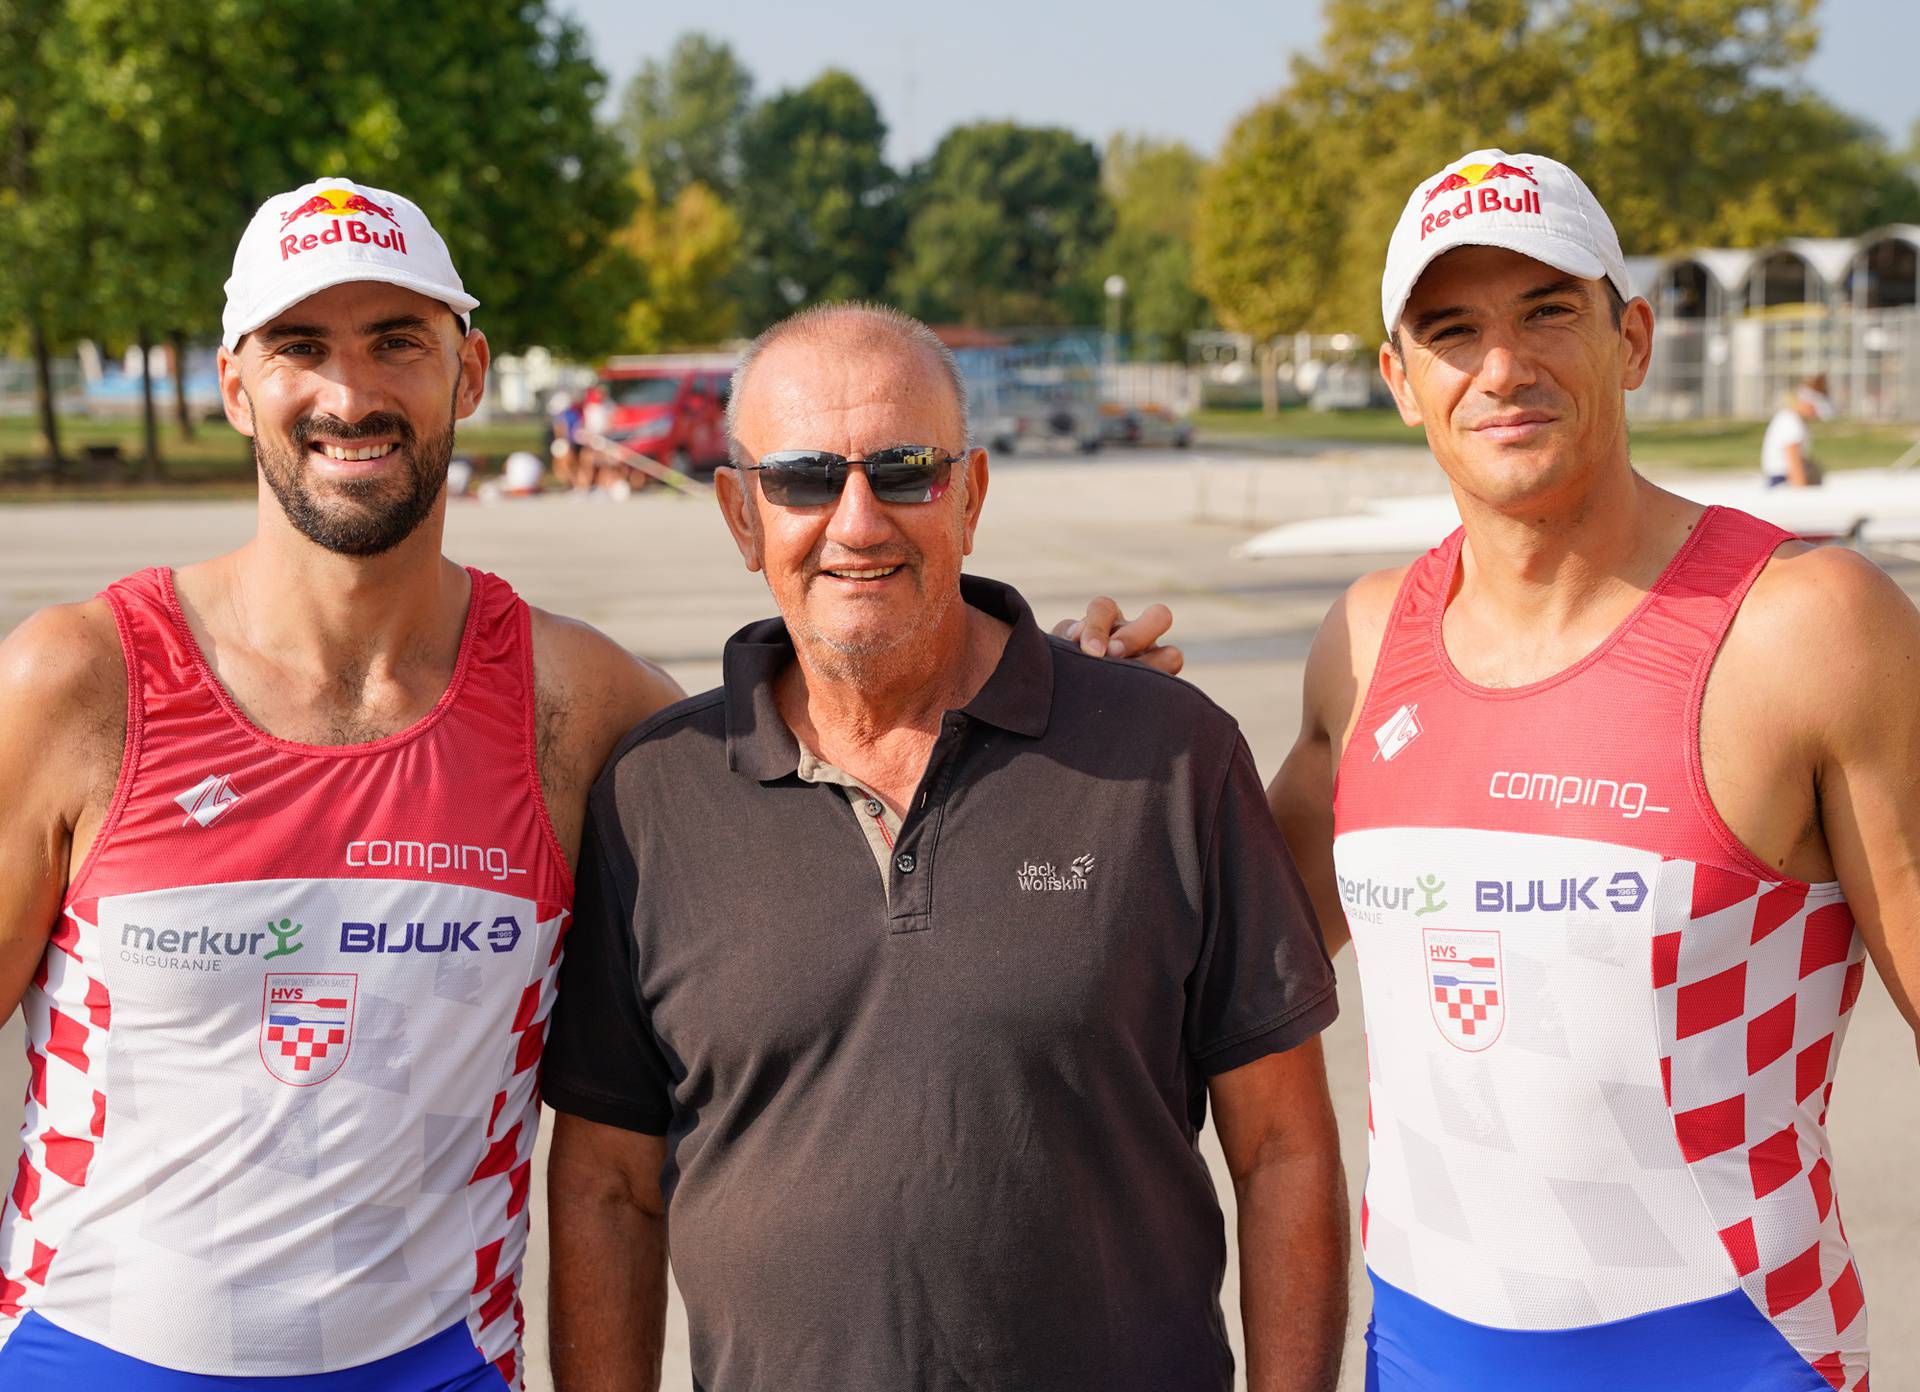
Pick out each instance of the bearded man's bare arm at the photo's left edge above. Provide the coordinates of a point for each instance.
(62, 731)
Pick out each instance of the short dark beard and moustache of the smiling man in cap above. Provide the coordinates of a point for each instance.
(364, 523)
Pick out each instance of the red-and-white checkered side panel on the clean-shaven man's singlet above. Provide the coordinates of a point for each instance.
(1754, 999)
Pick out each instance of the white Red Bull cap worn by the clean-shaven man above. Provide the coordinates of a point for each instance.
(1525, 204)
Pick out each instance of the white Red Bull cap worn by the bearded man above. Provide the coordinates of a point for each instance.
(329, 233)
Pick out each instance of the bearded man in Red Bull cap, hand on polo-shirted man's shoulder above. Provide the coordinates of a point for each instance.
(289, 853)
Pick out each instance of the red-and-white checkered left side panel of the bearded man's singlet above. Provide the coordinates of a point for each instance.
(68, 1017)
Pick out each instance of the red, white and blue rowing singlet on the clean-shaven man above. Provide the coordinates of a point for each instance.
(1602, 1034)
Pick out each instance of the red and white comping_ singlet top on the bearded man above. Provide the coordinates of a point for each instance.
(285, 1042)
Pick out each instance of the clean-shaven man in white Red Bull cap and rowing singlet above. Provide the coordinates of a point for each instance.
(1621, 811)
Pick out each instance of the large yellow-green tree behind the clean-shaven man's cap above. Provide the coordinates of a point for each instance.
(1689, 118)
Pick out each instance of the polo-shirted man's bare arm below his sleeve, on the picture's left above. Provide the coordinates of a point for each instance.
(608, 1230)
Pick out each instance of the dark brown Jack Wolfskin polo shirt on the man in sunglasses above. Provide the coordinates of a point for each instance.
(940, 1134)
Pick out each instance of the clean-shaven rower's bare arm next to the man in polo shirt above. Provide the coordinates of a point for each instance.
(1301, 794)
